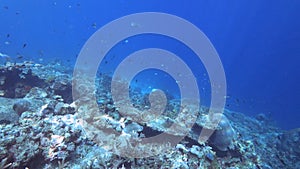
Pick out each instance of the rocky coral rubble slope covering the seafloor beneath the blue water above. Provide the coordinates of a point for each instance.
(42, 127)
